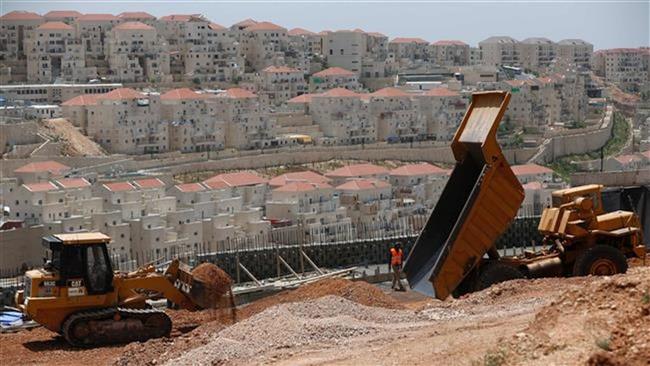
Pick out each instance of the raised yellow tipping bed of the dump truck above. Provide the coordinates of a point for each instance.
(476, 206)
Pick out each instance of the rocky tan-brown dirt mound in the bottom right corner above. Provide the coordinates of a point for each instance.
(602, 322)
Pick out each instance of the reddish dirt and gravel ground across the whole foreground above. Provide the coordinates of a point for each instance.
(591, 320)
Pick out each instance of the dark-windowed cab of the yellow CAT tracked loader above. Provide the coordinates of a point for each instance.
(80, 261)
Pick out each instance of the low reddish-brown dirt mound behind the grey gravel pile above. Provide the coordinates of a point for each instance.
(356, 291)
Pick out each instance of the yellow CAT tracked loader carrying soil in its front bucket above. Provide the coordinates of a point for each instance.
(78, 295)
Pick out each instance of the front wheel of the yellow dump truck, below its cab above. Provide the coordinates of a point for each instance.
(600, 260)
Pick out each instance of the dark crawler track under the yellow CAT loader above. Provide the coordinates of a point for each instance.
(115, 325)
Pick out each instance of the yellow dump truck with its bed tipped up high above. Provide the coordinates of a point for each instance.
(456, 253)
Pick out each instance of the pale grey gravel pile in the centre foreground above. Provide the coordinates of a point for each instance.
(329, 320)
